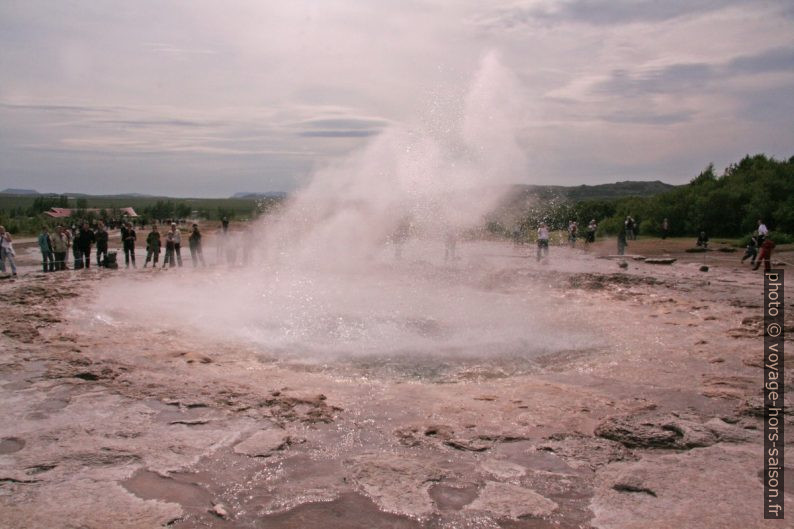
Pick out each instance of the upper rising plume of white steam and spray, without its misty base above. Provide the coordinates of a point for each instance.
(444, 171)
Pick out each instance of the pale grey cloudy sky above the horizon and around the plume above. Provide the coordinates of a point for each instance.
(206, 98)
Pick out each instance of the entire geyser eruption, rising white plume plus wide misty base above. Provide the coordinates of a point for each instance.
(328, 288)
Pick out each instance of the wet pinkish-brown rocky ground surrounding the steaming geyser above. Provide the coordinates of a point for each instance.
(657, 426)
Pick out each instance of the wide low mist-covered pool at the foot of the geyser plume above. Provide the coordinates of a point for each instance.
(411, 315)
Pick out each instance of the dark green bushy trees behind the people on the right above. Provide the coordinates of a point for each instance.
(726, 205)
